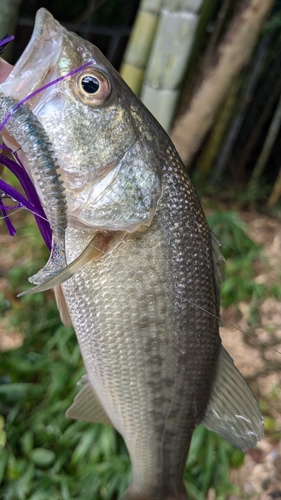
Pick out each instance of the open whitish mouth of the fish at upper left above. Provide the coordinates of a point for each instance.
(37, 64)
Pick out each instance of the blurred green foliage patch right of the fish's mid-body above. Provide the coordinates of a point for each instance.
(241, 253)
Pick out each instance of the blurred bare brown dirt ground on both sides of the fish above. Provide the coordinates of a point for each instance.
(260, 477)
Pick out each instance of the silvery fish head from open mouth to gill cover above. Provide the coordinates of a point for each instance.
(107, 144)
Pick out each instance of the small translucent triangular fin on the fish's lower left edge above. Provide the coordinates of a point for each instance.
(86, 406)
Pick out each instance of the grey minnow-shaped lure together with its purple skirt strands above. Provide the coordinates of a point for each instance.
(19, 121)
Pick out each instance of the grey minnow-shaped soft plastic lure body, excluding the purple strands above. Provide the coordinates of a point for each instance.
(19, 121)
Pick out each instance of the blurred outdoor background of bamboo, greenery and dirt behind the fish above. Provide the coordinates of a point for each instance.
(210, 72)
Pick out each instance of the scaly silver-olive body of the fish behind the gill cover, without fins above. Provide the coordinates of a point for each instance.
(149, 351)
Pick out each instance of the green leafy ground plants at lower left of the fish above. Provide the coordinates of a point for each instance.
(43, 454)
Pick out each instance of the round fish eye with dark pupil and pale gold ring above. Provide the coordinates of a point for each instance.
(92, 87)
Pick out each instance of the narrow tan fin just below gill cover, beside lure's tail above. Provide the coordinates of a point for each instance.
(101, 244)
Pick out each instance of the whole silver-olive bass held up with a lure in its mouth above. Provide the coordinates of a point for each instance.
(141, 284)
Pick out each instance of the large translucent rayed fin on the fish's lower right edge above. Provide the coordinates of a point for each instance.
(232, 410)
